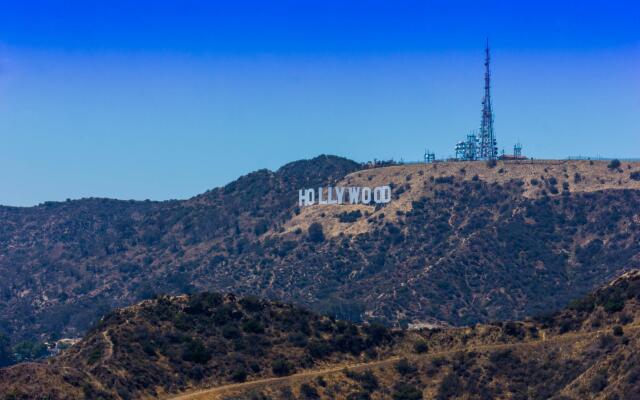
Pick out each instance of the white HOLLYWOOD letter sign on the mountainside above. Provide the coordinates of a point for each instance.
(344, 195)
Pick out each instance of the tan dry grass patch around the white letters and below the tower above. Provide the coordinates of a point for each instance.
(416, 179)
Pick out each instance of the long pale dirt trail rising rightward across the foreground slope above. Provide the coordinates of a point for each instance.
(217, 393)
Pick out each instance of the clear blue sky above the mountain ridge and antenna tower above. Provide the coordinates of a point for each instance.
(164, 100)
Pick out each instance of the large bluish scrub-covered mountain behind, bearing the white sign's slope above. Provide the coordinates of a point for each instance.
(460, 243)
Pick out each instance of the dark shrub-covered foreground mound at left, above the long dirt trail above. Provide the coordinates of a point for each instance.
(171, 344)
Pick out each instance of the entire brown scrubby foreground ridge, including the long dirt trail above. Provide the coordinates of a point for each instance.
(184, 347)
